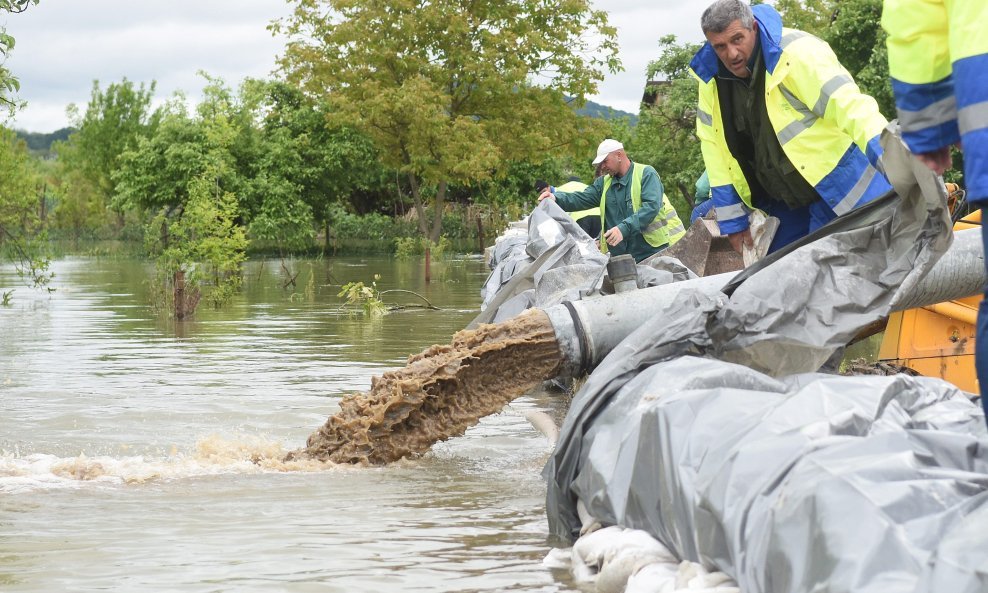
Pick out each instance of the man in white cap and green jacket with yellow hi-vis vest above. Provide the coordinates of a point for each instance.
(637, 217)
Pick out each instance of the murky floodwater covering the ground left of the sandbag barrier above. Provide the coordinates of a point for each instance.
(140, 454)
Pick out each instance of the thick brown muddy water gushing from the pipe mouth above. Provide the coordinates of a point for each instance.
(440, 393)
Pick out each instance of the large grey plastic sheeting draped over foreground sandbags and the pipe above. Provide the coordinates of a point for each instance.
(710, 428)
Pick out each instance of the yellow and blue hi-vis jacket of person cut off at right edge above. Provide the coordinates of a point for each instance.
(938, 59)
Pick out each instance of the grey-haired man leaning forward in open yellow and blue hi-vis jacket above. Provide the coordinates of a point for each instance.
(783, 127)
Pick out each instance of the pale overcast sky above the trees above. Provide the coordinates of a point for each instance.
(64, 45)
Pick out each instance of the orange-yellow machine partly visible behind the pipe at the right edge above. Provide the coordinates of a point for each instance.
(938, 340)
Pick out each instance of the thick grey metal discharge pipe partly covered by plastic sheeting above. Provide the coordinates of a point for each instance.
(588, 330)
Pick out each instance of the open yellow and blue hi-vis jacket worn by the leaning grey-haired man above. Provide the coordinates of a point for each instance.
(826, 126)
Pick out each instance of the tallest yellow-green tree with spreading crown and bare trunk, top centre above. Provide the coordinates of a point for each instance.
(447, 88)
